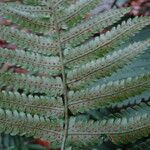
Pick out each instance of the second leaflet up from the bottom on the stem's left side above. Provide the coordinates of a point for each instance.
(43, 105)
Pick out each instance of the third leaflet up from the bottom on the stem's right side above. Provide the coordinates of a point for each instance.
(102, 67)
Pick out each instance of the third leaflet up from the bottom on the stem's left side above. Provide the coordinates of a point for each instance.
(51, 86)
